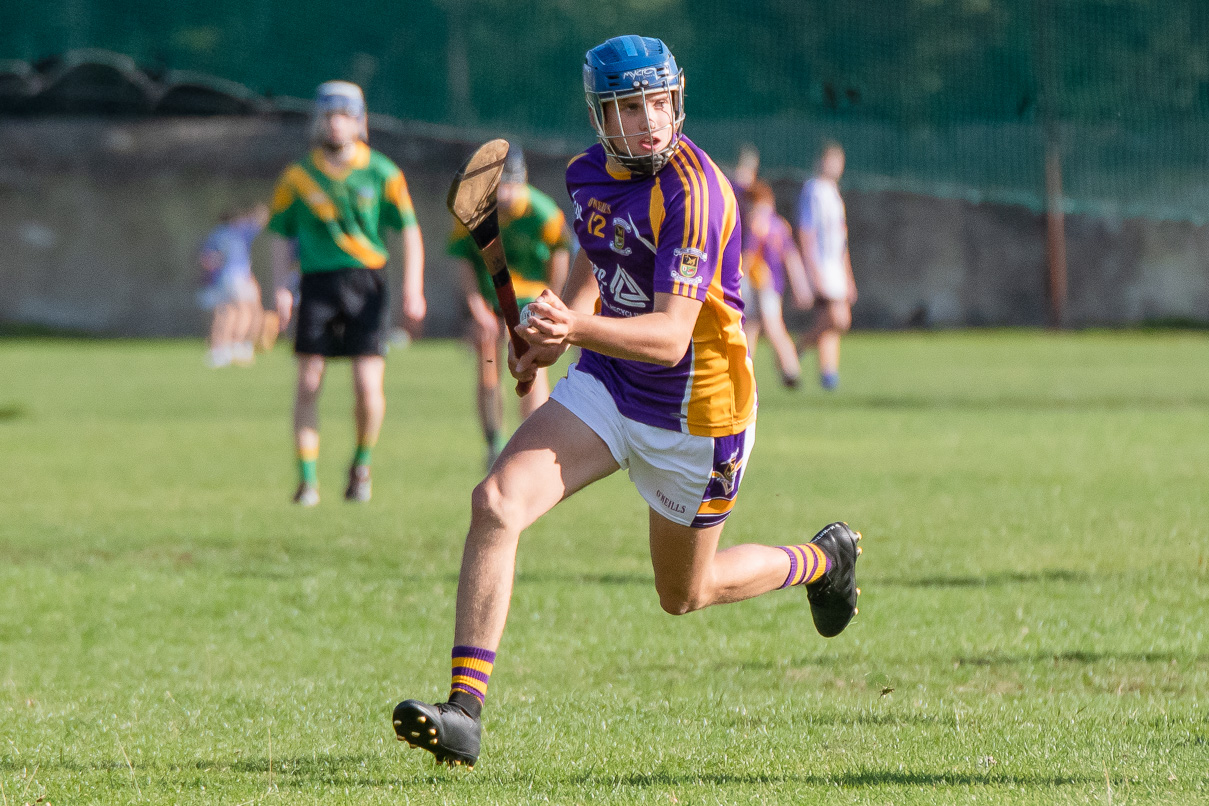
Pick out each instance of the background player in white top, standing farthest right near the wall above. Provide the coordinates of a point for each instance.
(823, 236)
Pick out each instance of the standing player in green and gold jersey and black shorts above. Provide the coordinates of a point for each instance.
(331, 210)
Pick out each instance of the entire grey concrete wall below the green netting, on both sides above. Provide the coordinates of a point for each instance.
(101, 221)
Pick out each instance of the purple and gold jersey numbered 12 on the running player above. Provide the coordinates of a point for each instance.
(673, 233)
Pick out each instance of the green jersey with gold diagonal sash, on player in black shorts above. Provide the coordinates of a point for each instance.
(339, 217)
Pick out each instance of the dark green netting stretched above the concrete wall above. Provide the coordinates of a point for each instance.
(939, 97)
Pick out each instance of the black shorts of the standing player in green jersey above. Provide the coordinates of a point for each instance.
(343, 314)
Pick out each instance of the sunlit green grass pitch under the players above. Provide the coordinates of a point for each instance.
(1033, 625)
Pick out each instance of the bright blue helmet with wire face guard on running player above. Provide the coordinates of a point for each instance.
(633, 66)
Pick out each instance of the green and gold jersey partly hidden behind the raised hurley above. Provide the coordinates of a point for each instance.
(531, 230)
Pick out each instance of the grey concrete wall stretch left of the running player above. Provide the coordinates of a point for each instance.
(101, 221)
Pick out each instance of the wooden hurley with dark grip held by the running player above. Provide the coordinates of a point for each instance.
(472, 201)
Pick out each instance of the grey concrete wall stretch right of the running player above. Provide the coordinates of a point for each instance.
(924, 262)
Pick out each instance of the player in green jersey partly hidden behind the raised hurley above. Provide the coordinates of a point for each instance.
(536, 242)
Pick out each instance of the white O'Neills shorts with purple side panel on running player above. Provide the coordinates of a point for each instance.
(690, 480)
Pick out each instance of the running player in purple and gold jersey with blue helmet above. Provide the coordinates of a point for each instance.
(664, 388)
